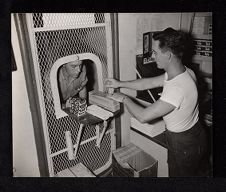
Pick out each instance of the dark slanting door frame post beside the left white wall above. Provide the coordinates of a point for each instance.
(22, 31)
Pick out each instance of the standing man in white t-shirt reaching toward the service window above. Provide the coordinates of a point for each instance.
(178, 104)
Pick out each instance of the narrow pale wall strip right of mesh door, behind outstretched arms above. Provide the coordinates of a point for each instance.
(127, 55)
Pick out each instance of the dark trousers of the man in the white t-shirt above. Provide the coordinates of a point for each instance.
(187, 152)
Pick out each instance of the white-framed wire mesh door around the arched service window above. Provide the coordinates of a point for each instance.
(53, 36)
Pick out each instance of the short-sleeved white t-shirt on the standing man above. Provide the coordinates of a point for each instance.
(181, 91)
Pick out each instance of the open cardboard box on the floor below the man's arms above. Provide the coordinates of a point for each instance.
(131, 161)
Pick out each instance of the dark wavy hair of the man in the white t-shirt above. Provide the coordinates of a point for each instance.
(171, 40)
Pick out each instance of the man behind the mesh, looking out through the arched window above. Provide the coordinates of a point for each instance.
(72, 80)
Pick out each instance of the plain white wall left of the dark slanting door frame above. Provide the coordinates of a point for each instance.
(24, 150)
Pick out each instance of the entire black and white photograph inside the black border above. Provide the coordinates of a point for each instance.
(112, 94)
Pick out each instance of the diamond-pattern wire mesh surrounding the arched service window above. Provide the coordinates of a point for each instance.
(52, 45)
